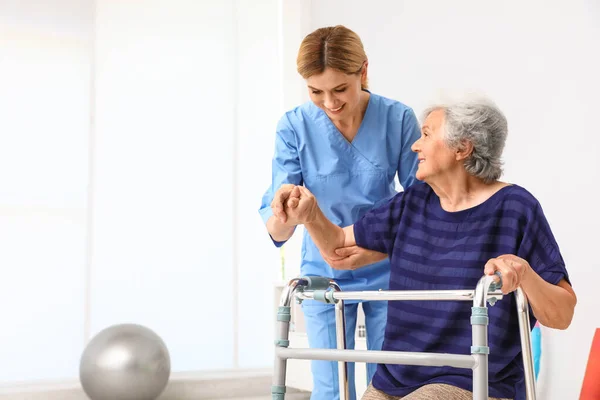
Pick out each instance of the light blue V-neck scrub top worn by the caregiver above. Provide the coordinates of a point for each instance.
(347, 178)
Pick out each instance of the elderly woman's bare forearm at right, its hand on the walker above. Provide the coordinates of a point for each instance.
(552, 305)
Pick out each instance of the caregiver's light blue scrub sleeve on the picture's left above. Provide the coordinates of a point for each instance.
(285, 167)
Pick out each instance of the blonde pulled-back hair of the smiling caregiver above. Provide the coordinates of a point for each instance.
(335, 47)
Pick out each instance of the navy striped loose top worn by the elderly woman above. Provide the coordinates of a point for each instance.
(432, 249)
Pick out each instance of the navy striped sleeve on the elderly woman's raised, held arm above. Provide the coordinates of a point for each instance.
(377, 229)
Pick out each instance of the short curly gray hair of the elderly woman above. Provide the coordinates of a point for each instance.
(483, 124)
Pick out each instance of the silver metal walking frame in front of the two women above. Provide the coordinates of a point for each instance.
(328, 291)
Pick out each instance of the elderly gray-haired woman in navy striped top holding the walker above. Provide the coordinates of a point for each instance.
(443, 233)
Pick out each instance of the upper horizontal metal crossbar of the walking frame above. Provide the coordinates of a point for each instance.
(461, 295)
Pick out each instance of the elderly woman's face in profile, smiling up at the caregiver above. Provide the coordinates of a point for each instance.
(435, 156)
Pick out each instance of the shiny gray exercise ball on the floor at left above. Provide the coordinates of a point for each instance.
(125, 362)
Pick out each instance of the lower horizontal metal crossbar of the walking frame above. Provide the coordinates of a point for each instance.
(380, 356)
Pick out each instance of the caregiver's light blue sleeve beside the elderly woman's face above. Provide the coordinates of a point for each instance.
(408, 163)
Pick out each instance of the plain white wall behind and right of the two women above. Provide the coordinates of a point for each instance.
(539, 62)
